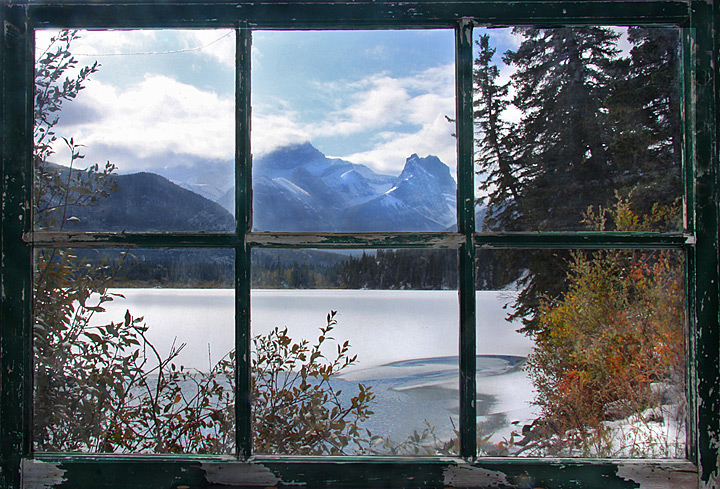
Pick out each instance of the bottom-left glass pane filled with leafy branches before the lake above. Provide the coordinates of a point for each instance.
(134, 351)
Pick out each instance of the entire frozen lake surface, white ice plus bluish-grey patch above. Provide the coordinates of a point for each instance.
(406, 343)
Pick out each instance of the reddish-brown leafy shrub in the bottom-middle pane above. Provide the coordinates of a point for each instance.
(297, 410)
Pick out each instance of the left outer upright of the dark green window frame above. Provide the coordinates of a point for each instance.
(16, 263)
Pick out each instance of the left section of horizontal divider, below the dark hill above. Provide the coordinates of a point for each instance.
(59, 239)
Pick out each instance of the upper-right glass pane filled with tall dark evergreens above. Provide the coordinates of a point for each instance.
(573, 117)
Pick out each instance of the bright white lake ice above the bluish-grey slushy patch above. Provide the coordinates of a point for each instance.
(383, 326)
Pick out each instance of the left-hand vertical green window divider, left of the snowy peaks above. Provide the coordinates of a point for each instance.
(243, 224)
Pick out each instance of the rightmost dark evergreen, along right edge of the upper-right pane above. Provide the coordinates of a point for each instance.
(645, 110)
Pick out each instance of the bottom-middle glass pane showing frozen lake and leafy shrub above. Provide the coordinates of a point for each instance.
(385, 323)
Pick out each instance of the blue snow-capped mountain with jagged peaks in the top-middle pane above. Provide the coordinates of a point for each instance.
(297, 188)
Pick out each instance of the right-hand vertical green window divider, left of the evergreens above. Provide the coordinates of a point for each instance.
(466, 226)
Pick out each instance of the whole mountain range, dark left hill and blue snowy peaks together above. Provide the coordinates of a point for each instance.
(295, 189)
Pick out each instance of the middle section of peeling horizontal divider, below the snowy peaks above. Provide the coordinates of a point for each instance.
(356, 240)
